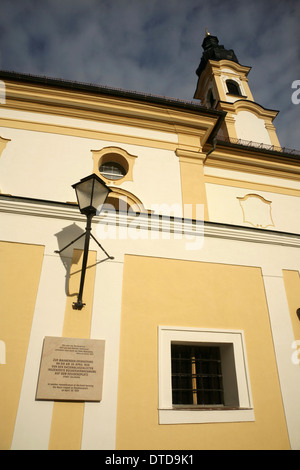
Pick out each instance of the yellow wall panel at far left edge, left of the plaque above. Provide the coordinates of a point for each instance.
(19, 279)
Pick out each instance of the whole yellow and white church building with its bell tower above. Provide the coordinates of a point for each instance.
(150, 266)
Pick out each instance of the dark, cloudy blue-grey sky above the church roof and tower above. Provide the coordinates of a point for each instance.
(154, 46)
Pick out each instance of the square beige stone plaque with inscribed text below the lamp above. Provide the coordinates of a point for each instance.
(71, 369)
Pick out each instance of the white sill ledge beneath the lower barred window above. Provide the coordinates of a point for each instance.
(195, 415)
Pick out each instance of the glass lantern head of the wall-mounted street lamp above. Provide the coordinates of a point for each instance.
(91, 194)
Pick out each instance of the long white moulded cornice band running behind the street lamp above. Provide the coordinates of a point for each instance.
(153, 222)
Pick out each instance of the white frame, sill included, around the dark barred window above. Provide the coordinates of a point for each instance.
(169, 414)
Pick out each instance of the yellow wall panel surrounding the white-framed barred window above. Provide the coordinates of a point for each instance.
(199, 295)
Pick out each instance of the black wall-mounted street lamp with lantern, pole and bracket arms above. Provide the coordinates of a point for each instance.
(91, 194)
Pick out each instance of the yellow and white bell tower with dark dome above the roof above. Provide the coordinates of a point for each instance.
(223, 85)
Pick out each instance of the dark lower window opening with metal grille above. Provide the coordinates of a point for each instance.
(196, 375)
